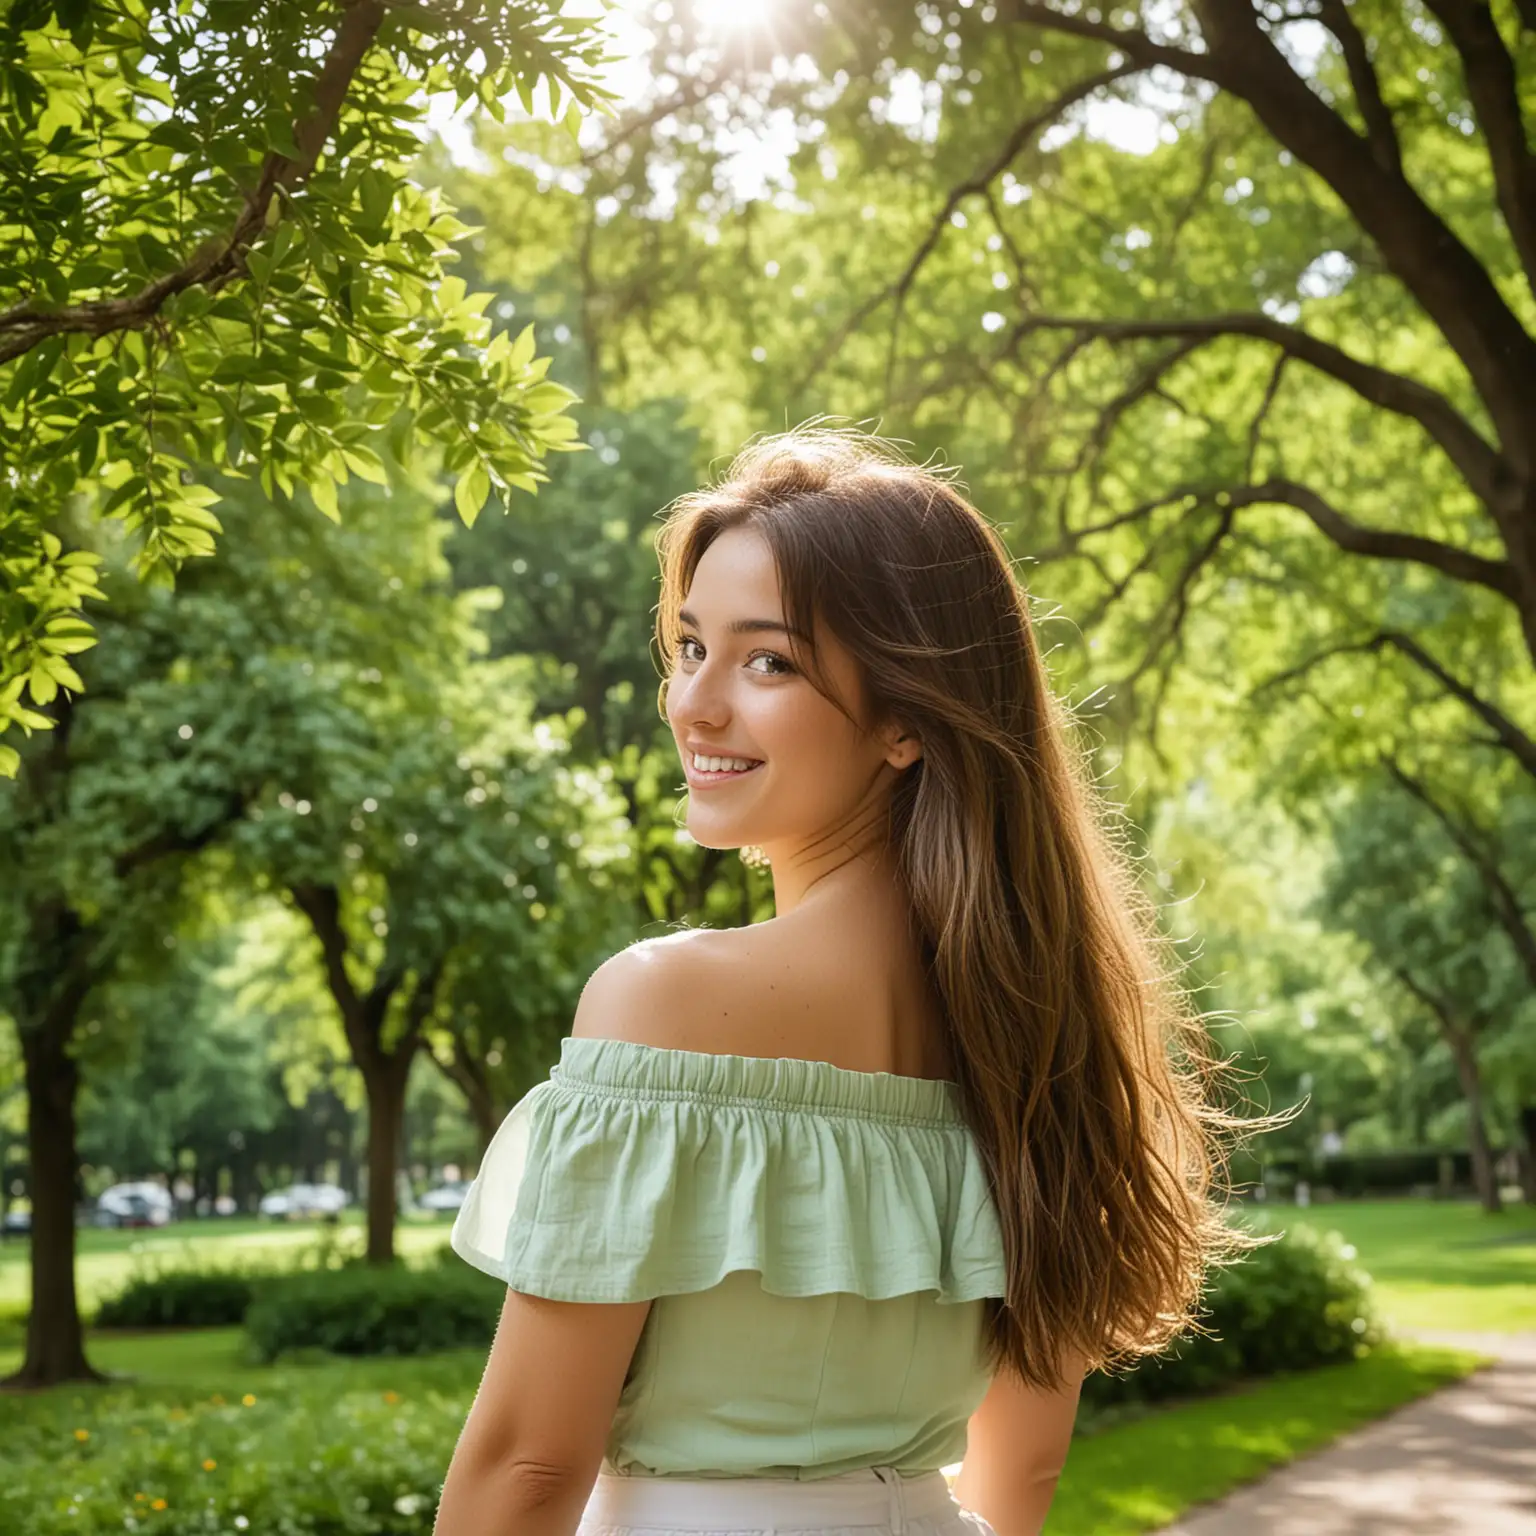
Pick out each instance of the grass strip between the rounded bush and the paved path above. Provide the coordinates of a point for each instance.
(1144, 1475)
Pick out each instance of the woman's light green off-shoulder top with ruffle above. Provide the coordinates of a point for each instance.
(818, 1243)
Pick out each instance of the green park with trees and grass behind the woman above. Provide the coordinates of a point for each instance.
(346, 360)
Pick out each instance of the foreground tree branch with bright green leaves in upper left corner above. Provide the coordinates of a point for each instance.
(213, 259)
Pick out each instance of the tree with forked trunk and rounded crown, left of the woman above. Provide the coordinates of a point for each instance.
(429, 833)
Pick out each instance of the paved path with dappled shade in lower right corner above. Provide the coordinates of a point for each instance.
(1460, 1463)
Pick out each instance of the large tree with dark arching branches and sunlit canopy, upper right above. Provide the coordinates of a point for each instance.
(1271, 362)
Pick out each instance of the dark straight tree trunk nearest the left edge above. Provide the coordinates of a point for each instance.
(55, 1339)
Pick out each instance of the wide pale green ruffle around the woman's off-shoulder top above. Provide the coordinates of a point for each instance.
(641, 1171)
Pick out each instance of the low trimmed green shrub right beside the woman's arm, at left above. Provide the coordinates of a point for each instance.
(376, 1311)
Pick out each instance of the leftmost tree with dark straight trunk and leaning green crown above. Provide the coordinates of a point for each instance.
(200, 704)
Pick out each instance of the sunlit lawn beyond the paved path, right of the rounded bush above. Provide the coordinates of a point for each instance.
(1437, 1265)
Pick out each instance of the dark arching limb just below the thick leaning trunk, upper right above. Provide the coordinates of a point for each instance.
(1478, 462)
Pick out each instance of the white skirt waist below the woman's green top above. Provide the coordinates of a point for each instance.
(875, 1500)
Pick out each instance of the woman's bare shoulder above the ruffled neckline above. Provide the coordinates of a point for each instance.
(694, 990)
